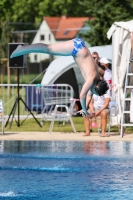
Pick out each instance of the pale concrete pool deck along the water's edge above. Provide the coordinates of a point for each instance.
(45, 136)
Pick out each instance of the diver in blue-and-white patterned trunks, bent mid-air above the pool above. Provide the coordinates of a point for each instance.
(82, 57)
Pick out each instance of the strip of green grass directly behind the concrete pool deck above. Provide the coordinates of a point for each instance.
(30, 125)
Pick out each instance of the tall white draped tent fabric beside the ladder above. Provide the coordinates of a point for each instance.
(121, 46)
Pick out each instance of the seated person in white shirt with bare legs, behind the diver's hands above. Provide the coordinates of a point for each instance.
(98, 107)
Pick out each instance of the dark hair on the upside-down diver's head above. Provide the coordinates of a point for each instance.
(101, 87)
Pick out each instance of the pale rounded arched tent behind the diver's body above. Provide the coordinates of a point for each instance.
(62, 64)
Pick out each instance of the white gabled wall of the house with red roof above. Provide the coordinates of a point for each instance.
(43, 30)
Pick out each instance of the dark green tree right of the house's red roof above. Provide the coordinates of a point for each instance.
(105, 13)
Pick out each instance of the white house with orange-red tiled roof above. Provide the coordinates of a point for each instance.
(57, 29)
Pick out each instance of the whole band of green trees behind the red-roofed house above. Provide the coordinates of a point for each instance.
(27, 15)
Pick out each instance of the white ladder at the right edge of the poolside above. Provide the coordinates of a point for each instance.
(126, 99)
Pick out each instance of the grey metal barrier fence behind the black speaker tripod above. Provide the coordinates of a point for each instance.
(31, 95)
